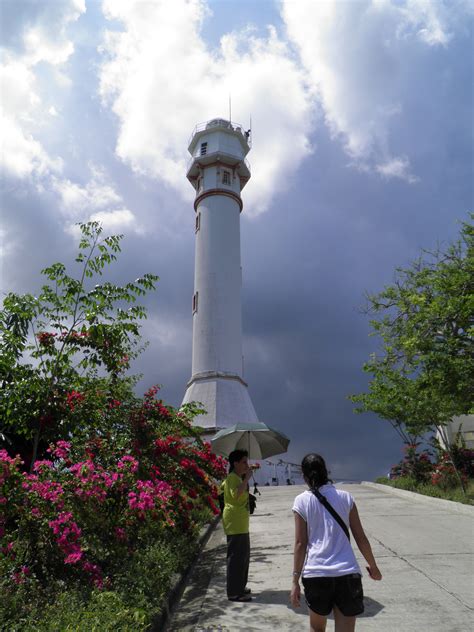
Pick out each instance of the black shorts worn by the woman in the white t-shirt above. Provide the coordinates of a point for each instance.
(345, 592)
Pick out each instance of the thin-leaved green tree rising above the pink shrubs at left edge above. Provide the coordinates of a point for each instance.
(70, 344)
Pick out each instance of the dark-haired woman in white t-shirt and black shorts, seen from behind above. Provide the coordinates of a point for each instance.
(323, 556)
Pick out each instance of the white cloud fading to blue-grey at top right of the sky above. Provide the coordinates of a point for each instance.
(362, 57)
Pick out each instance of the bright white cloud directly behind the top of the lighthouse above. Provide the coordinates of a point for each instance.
(160, 79)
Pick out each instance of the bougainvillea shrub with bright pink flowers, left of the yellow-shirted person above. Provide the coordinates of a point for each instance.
(94, 503)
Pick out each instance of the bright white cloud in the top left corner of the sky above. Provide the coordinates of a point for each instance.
(39, 36)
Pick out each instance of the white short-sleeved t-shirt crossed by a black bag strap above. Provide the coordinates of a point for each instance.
(329, 552)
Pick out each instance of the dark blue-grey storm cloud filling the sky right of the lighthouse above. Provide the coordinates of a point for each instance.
(307, 265)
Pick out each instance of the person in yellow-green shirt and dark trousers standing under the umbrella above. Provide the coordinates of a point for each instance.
(235, 519)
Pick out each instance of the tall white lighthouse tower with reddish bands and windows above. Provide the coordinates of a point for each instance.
(218, 171)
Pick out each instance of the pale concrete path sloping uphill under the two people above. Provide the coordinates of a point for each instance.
(425, 553)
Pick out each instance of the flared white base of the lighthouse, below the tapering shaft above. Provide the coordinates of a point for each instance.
(225, 398)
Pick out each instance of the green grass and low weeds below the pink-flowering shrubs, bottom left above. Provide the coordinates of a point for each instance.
(133, 602)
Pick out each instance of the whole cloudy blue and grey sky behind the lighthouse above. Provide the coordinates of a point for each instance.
(362, 156)
